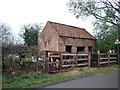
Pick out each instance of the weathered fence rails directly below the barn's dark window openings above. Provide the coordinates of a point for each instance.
(74, 59)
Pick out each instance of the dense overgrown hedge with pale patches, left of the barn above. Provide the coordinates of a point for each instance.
(23, 54)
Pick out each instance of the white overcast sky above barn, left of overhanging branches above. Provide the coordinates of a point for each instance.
(16, 13)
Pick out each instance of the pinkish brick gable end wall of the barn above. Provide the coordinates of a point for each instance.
(48, 39)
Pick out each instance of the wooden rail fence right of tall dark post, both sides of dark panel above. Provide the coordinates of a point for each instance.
(63, 60)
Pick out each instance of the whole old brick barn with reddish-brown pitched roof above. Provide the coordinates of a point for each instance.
(65, 38)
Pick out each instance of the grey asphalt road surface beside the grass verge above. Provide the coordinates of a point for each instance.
(108, 80)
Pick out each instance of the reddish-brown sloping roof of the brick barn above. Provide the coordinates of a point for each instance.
(71, 31)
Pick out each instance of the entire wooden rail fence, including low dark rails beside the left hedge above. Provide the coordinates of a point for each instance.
(53, 62)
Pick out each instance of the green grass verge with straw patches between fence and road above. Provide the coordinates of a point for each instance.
(35, 80)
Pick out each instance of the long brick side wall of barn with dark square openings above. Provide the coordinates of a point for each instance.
(75, 42)
